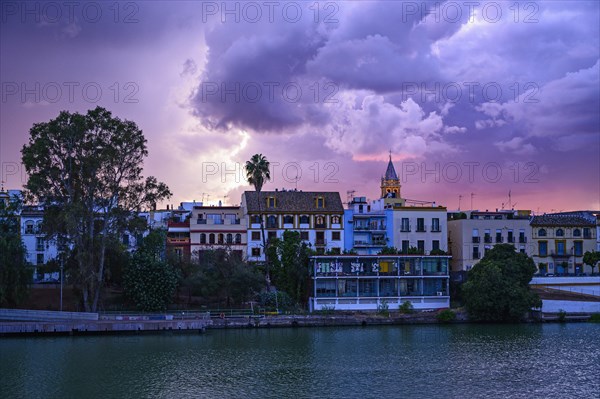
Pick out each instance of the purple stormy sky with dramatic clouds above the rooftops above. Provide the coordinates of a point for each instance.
(473, 99)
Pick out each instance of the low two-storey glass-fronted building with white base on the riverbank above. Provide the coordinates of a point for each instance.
(368, 282)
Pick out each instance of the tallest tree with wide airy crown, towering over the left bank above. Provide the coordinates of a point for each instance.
(87, 171)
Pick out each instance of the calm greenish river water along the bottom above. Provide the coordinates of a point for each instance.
(424, 361)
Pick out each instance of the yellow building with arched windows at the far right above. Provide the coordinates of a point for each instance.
(561, 239)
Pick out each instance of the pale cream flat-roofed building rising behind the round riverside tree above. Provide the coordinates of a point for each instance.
(472, 233)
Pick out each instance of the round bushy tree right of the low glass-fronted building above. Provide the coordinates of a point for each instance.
(498, 286)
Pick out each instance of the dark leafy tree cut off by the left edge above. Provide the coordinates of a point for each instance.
(15, 275)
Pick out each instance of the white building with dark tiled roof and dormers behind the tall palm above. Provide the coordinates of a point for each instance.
(317, 216)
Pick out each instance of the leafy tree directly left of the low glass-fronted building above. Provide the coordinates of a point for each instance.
(291, 265)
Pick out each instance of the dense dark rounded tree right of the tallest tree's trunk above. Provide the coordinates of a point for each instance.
(149, 281)
